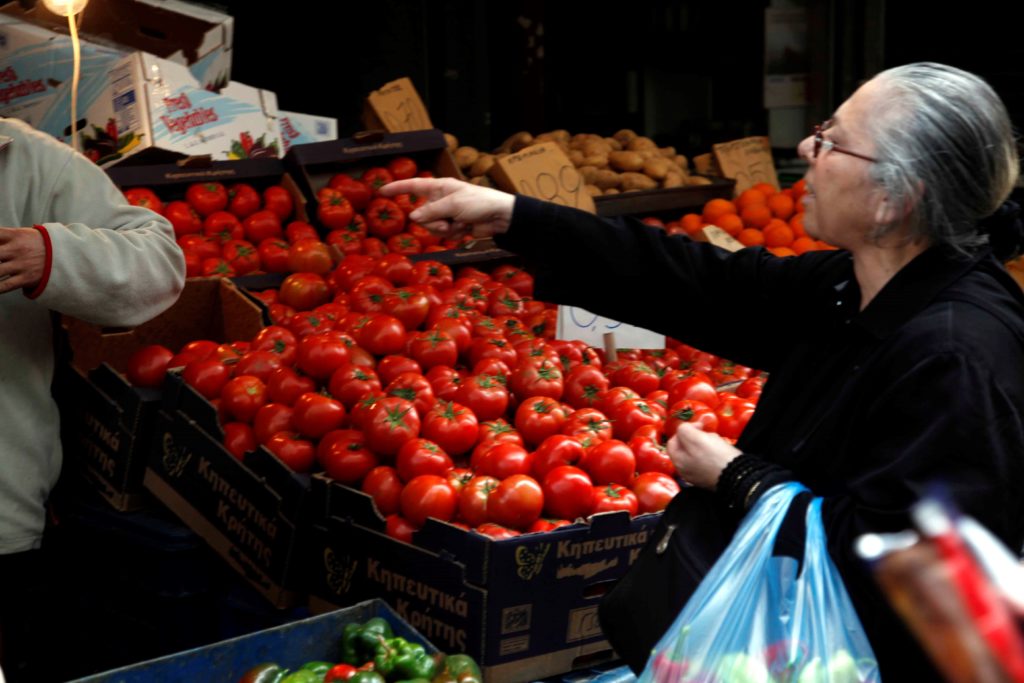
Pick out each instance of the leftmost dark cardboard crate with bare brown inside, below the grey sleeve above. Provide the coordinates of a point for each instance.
(108, 423)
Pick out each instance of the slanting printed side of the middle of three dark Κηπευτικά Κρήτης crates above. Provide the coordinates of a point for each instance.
(252, 514)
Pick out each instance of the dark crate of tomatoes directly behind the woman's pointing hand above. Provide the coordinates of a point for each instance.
(339, 180)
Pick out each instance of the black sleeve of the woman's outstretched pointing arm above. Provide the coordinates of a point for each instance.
(749, 307)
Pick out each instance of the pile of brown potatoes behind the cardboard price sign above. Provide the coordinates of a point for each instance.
(626, 162)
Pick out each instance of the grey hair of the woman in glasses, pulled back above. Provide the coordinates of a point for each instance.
(947, 151)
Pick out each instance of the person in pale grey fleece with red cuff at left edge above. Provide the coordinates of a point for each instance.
(69, 244)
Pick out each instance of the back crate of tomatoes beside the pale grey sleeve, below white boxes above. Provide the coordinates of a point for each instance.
(231, 219)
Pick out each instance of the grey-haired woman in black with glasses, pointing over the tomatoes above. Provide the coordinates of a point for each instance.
(897, 362)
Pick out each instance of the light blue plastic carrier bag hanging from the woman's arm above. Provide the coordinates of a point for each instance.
(755, 620)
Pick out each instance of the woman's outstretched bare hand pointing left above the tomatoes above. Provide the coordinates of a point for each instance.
(455, 207)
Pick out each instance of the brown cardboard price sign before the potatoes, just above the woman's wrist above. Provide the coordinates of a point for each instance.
(543, 172)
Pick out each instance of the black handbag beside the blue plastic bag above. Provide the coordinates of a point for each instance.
(694, 532)
